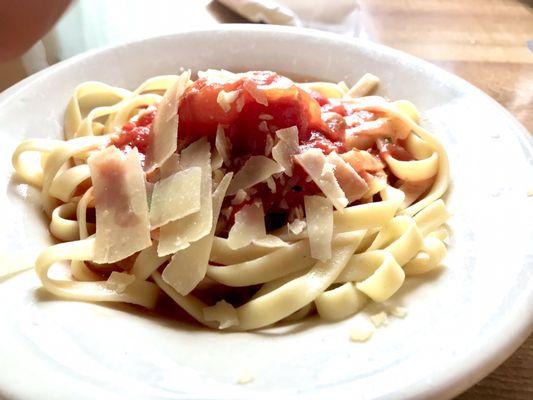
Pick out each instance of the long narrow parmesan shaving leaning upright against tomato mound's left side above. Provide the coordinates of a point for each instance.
(165, 126)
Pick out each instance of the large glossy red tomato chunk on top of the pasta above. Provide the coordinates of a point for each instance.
(266, 102)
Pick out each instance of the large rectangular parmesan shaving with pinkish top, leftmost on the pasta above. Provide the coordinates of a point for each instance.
(122, 223)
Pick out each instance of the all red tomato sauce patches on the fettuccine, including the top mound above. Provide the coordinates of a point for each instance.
(265, 103)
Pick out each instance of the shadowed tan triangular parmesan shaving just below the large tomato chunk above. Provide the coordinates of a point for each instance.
(255, 170)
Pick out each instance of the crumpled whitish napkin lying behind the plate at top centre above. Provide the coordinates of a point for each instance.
(338, 16)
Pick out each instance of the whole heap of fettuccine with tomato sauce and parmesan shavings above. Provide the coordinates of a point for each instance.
(246, 198)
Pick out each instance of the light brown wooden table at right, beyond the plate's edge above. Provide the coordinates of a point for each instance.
(484, 42)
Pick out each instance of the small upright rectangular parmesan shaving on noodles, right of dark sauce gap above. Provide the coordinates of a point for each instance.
(319, 216)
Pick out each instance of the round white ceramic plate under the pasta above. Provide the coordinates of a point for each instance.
(462, 322)
